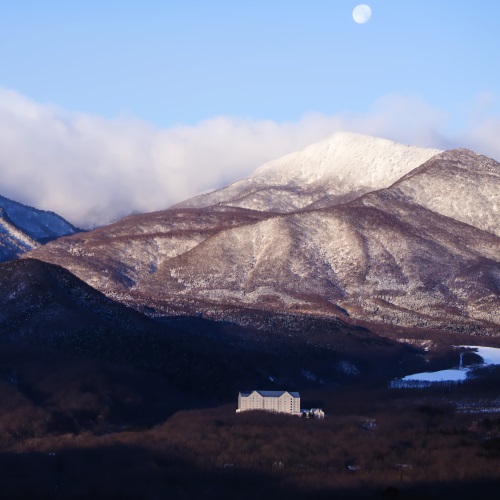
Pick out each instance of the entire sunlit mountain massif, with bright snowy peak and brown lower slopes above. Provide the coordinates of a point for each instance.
(353, 227)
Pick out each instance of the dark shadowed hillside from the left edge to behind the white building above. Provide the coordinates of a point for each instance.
(74, 363)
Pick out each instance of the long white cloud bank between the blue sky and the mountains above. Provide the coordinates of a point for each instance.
(93, 170)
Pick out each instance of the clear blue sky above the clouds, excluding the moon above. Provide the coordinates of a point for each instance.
(181, 61)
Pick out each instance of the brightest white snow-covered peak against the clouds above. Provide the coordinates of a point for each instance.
(335, 170)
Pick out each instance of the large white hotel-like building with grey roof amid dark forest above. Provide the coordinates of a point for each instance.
(277, 401)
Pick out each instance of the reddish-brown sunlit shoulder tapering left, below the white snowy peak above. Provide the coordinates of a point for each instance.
(118, 256)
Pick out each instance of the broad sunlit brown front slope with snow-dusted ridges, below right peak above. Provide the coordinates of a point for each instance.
(375, 257)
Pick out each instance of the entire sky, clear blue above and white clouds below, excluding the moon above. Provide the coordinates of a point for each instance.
(144, 91)
